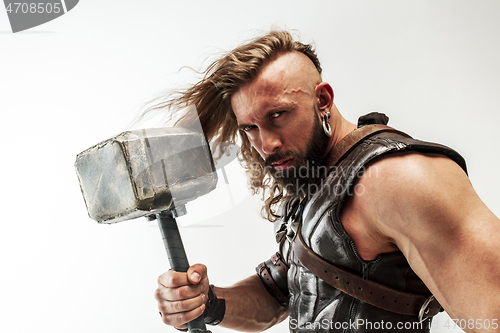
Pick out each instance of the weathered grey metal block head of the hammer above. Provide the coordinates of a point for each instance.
(143, 172)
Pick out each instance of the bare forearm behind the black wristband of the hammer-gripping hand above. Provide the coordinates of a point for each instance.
(249, 307)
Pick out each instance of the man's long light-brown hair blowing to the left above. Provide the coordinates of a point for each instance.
(211, 96)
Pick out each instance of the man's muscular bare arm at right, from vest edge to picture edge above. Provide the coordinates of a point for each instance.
(428, 208)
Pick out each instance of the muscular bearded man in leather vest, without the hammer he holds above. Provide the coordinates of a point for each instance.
(372, 202)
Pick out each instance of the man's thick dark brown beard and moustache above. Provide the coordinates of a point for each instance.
(308, 168)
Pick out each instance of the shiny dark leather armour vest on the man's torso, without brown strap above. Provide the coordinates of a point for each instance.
(313, 304)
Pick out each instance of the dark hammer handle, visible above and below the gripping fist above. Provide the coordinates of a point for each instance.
(177, 257)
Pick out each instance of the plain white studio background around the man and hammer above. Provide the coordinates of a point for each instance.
(432, 66)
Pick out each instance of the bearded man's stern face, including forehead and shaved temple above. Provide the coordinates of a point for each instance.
(277, 111)
